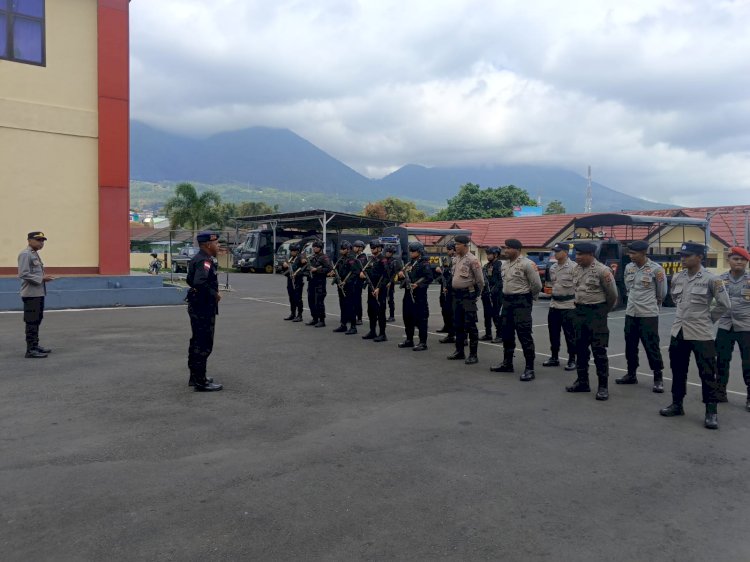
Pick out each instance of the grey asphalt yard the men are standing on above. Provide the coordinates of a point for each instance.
(327, 447)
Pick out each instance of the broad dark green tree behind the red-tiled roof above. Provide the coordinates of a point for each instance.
(473, 202)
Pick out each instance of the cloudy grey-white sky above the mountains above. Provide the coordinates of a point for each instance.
(654, 94)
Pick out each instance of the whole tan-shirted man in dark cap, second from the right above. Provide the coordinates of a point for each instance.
(694, 289)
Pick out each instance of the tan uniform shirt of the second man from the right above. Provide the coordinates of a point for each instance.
(693, 297)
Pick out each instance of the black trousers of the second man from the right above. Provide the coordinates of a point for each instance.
(679, 361)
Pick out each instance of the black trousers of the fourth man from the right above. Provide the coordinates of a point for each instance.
(592, 338)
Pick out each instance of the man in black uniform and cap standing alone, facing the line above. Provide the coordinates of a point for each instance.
(203, 306)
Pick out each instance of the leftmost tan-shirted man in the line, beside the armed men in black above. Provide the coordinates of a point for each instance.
(467, 283)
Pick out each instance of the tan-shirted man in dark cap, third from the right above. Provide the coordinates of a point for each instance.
(646, 286)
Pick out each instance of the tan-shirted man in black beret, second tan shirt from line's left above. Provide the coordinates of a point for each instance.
(521, 285)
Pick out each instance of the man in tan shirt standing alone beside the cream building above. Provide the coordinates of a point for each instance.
(33, 290)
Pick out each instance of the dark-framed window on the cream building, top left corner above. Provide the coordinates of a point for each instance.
(22, 31)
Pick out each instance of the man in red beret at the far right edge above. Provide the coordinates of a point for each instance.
(734, 325)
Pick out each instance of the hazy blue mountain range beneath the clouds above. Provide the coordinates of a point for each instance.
(279, 158)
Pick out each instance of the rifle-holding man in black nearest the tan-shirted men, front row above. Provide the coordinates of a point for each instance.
(415, 278)
